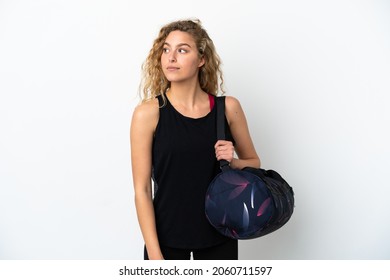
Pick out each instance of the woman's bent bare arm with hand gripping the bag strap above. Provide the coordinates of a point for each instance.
(244, 147)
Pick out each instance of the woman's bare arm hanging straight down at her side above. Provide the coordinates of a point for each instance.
(143, 124)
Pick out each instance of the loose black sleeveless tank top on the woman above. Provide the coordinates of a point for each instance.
(184, 163)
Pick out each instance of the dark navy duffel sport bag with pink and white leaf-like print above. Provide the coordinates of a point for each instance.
(247, 203)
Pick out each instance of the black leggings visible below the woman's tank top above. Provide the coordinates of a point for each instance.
(225, 251)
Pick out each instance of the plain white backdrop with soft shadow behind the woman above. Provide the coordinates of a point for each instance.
(312, 77)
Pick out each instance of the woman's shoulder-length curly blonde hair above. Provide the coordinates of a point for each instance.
(153, 81)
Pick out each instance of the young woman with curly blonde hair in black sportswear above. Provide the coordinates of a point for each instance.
(173, 144)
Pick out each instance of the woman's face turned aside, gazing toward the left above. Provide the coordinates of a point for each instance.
(180, 59)
